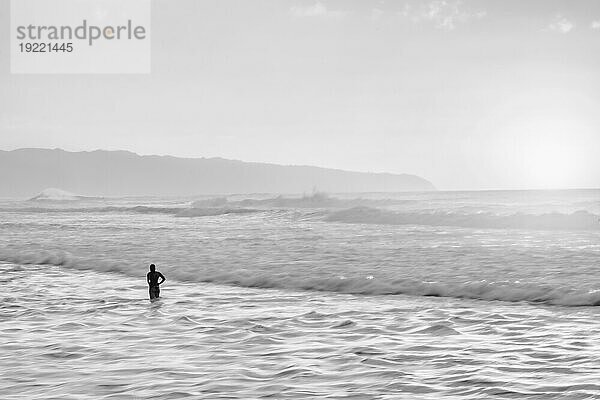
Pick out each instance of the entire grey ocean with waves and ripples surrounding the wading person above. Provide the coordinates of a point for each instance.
(473, 295)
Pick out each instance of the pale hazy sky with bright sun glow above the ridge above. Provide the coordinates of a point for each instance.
(473, 94)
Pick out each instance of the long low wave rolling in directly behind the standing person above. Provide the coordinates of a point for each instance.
(476, 290)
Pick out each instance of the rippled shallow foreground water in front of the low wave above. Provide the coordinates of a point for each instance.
(71, 334)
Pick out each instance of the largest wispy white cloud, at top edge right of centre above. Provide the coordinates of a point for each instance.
(443, 14)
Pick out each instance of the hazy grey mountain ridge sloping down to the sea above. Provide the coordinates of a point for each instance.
(27, 171)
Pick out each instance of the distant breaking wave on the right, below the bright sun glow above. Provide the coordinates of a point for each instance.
(580, 220)
